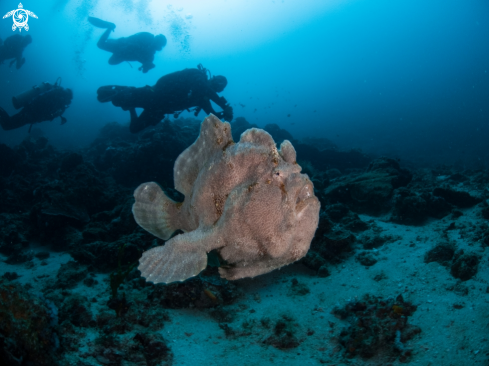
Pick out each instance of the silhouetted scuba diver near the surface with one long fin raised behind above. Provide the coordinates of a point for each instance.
(138, 47)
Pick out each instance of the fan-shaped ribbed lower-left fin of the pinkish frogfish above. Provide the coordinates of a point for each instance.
(182, 257)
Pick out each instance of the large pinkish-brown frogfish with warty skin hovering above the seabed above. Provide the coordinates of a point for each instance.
(247, 200)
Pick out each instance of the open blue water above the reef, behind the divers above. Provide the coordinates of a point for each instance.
(407, 79)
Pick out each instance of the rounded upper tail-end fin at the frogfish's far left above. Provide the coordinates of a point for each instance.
(154, 211)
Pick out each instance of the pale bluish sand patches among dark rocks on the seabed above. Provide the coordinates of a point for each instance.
(449, 336)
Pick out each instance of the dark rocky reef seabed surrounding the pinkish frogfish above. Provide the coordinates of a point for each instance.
(70, 289)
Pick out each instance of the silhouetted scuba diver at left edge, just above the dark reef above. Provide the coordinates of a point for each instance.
(43, 102)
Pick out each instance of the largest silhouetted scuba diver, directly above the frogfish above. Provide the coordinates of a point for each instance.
(172, 94)
